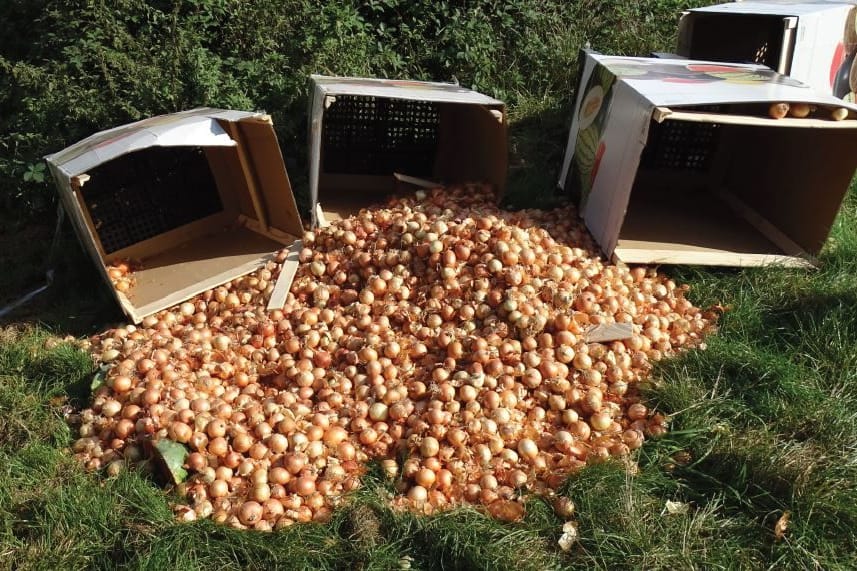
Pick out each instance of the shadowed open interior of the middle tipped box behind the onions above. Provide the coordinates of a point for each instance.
(366, 139)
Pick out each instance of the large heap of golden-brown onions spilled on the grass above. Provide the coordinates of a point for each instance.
(443, 338)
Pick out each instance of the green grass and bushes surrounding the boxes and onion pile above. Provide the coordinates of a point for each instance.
(763, 422)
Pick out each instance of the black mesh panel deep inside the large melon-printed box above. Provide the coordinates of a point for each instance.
(681, 145)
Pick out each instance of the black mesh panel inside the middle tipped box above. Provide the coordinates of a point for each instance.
(378, 136)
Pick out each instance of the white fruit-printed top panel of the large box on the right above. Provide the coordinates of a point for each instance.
(682, 82)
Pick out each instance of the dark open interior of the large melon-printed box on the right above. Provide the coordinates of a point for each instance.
(736, 194)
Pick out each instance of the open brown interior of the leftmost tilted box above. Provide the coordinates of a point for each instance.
(192, 217)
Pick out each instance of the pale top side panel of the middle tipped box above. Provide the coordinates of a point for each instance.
(402, 89)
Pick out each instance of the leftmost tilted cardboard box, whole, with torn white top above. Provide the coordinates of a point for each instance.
(198, 197)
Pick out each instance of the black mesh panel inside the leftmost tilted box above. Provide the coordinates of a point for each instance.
(143, 194)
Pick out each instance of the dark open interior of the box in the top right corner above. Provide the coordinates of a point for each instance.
(740, 38)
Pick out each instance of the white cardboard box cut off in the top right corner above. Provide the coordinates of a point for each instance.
(814, 42)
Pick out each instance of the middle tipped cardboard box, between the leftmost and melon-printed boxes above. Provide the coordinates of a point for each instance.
(362, 131)
